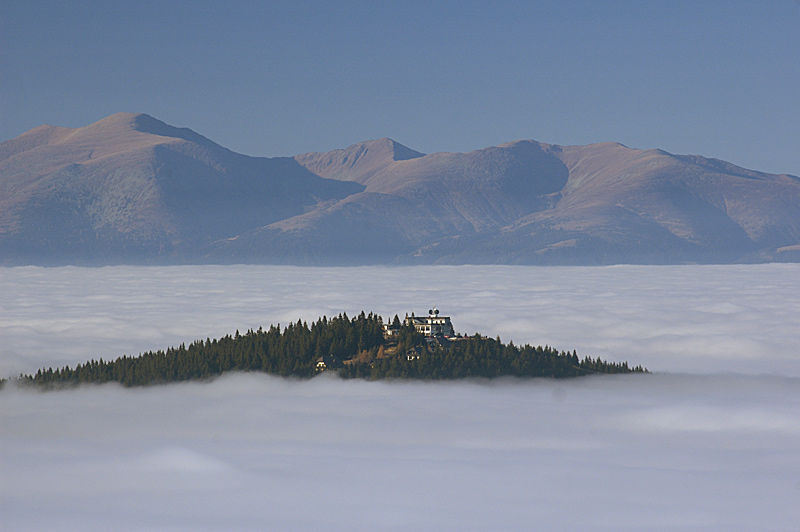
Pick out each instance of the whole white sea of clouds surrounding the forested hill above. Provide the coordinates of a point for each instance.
(711, 441)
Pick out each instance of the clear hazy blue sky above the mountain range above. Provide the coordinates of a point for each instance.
(720, 79)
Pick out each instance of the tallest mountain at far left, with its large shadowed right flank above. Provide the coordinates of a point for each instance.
(130, 188)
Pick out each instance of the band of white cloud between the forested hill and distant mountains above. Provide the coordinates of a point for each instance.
(697, 319)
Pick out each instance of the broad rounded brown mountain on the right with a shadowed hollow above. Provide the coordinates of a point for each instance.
(532, 203)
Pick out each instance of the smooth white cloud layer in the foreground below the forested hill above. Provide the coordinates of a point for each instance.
(252, 452)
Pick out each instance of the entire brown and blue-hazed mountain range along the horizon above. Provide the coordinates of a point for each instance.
(130, 188)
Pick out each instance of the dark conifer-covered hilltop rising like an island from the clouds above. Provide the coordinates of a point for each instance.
(355, 348)
